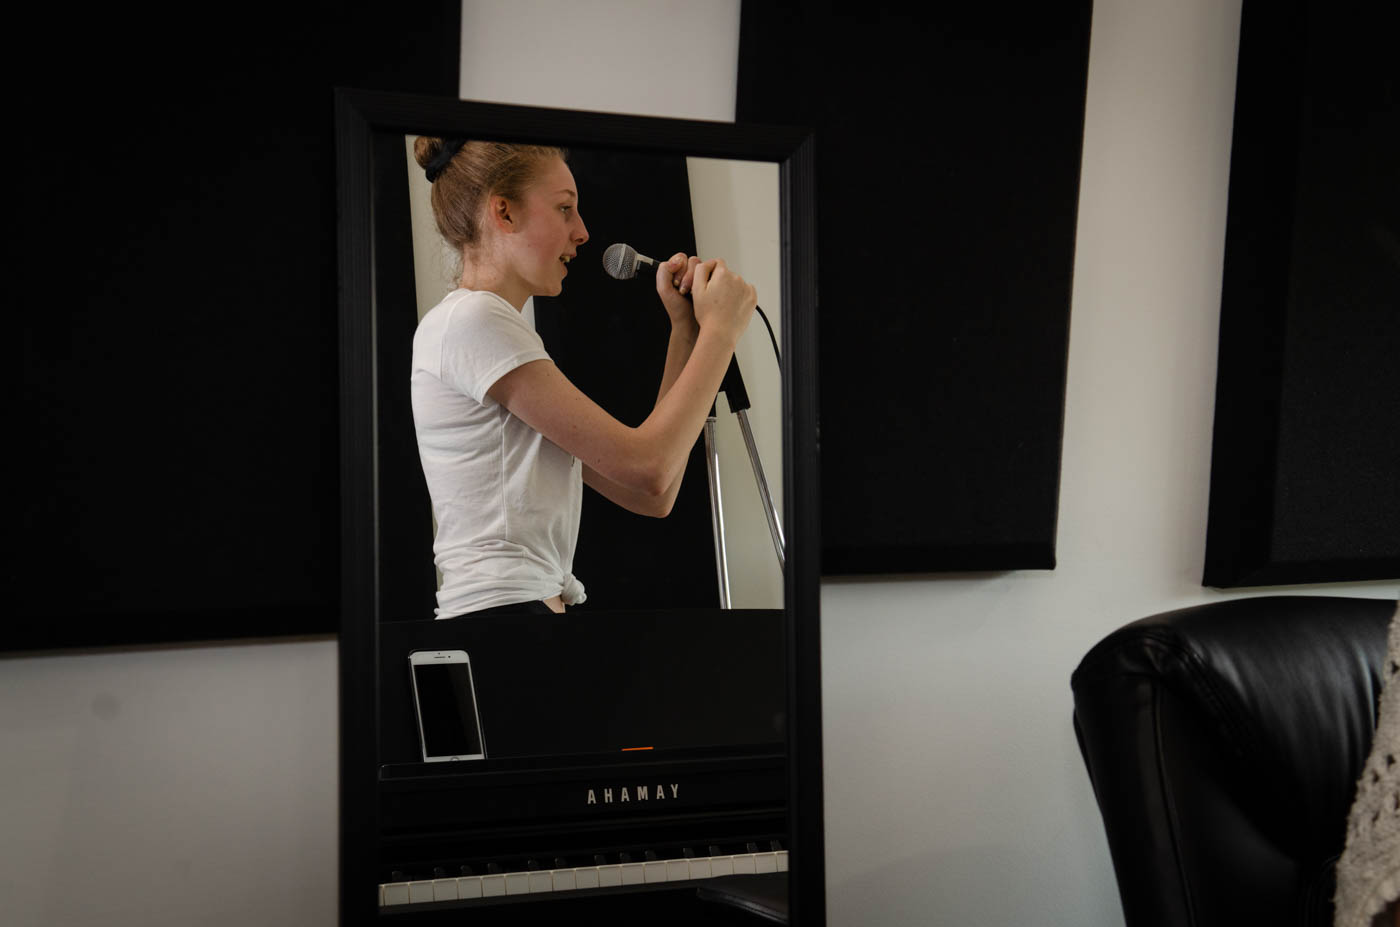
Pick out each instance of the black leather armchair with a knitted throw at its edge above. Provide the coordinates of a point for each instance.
(1224, 744)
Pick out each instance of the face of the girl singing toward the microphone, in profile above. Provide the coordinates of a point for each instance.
(548, 230)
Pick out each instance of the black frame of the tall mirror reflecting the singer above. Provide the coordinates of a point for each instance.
(365, 118)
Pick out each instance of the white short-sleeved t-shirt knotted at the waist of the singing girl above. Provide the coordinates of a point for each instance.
(505, 496)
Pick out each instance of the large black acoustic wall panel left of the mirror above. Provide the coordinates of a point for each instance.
(178, 411)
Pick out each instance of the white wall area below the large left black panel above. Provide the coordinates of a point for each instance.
(170, 786)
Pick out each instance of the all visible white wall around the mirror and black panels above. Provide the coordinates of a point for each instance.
(198, 785)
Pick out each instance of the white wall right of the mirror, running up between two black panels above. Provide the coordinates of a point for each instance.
(955, 792)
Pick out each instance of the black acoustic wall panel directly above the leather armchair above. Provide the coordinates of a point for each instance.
(1305, 470)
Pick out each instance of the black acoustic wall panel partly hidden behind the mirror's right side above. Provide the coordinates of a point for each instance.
(948, 151)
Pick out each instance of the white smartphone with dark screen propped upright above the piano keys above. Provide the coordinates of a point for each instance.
(444, 698)
